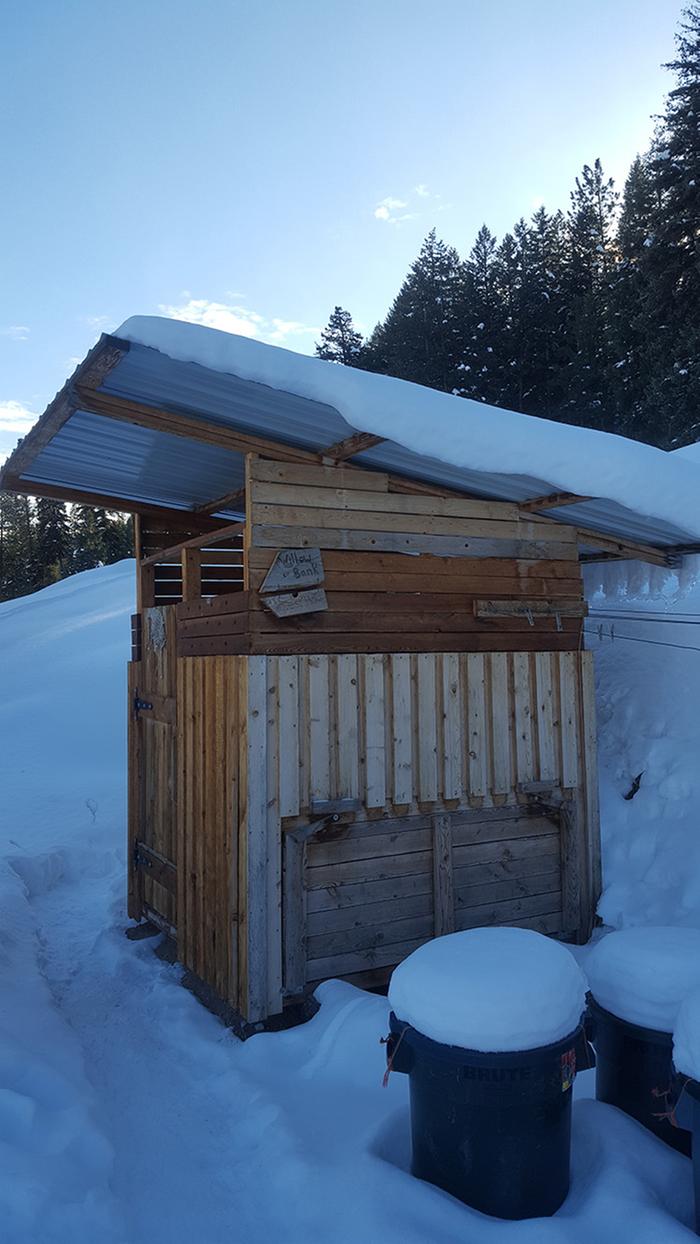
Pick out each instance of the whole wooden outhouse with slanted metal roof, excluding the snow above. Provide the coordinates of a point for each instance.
(361, 715)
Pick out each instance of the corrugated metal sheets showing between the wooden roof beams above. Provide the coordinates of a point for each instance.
(105, 456)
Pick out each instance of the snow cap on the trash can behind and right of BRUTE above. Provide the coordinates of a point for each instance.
(643, 975)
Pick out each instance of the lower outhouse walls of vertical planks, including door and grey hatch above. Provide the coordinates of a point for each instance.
(438, 751)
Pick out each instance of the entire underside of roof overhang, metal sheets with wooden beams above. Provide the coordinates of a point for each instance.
(139, 431)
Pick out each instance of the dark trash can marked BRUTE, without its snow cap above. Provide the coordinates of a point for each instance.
(493, 1130)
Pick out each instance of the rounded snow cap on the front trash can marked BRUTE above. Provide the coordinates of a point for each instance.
(490, 990)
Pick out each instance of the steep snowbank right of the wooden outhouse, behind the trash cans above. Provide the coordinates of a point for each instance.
(645, 630)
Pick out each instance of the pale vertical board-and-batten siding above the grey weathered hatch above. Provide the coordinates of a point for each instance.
(436, 728)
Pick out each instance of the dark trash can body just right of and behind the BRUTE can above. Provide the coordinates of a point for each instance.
(635, 1072)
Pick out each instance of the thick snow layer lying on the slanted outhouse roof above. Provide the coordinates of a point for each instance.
(453, 430)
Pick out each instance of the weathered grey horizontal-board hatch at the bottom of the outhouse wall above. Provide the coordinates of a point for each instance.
(401, 883)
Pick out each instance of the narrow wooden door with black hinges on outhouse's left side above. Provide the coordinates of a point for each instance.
(152, 708)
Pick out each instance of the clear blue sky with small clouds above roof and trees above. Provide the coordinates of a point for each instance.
(251, 164)
